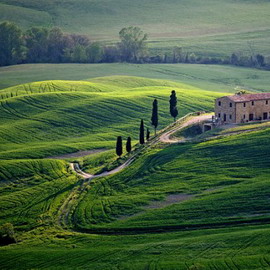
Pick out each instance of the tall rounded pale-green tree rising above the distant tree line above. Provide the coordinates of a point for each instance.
(132, 43)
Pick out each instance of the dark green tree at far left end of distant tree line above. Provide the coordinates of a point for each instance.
(11, 44)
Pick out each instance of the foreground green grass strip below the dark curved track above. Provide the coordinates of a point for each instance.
(236, 248)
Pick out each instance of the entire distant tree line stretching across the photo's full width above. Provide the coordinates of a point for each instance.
(44, 45)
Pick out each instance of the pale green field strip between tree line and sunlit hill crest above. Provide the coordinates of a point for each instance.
(208, 77)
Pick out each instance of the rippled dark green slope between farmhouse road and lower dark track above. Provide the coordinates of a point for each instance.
(223, 180)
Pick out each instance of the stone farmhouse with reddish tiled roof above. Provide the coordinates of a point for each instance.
(241, 108)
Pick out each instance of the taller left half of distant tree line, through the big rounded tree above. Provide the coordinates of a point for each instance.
(44, 45)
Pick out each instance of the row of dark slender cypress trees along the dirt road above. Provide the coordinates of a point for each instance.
(154, 122)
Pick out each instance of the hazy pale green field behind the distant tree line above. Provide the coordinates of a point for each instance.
(212, 27)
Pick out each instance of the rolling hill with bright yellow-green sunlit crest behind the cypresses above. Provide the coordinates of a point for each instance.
(47, 118)
